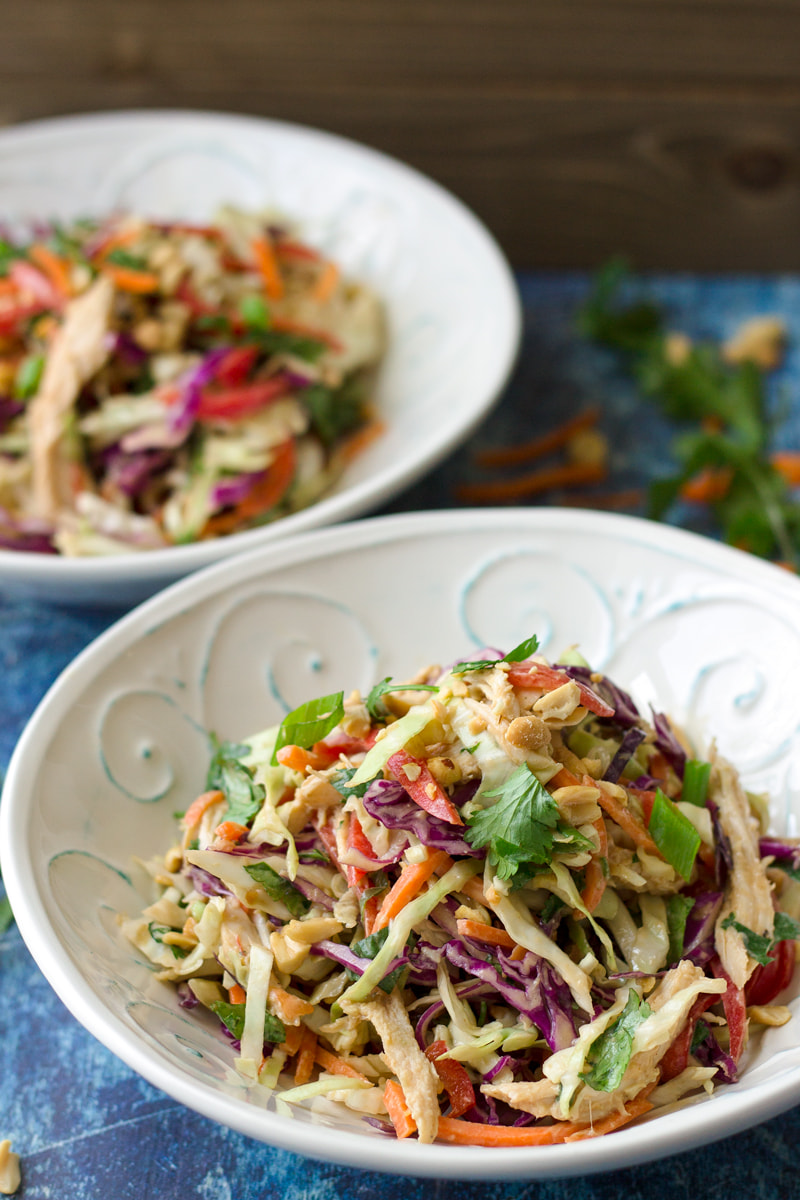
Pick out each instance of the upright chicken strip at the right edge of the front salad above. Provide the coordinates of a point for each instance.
(749, 893)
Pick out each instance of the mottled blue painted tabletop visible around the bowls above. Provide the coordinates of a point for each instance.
(87, 1127)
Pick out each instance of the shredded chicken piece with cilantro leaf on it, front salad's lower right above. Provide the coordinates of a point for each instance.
(670, 1004)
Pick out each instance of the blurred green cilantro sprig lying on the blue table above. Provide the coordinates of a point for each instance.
(727, 428)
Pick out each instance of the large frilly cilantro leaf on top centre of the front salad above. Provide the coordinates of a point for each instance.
(520, 827)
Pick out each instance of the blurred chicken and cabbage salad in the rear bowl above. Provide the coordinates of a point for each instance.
(163, 383)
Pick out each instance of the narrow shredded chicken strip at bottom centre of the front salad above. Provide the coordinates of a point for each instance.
(417, 1076)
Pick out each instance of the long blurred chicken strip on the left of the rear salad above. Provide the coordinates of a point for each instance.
(80, 350)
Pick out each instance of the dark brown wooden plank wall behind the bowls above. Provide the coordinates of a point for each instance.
(576, 129)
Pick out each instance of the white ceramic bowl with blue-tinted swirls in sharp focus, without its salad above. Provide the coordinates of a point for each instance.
(118, 746)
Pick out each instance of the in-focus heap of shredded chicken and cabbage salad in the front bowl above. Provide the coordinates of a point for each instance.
(495, 905)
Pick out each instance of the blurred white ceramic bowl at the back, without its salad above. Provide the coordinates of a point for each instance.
(452, 301)
